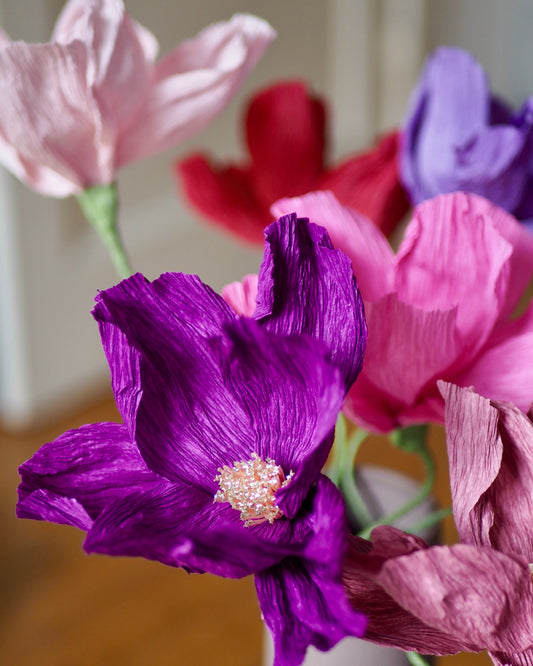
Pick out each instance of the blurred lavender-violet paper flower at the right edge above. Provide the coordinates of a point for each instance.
(459, 137)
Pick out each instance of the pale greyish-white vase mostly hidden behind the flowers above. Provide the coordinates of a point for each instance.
(385, 491)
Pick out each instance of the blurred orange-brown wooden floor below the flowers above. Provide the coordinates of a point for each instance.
(60, 607)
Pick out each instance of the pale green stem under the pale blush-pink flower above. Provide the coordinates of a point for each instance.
(100, 206)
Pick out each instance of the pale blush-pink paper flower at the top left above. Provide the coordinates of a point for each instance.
(94, 99)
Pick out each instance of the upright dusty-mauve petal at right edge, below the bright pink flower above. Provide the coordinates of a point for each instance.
(490, 447)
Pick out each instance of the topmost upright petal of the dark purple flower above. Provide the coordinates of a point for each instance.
(305, 286)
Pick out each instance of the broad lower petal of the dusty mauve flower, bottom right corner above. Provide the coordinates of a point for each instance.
(477, 595)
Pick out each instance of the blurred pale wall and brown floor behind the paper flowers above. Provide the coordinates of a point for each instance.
(59, 607)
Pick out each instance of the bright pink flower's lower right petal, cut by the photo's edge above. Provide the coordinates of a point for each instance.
(504, 368)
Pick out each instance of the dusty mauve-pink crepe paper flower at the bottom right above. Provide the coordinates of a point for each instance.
(477, 595)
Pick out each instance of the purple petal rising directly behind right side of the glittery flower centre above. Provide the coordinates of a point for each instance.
(292, 396)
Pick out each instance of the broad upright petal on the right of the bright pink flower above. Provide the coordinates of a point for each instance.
(452, 256)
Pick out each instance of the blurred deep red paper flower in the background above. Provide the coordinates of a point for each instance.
(286, 128)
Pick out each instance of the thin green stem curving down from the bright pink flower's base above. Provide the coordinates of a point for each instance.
(411, 440)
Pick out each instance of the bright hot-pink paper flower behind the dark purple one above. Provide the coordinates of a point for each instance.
(441, 308)
